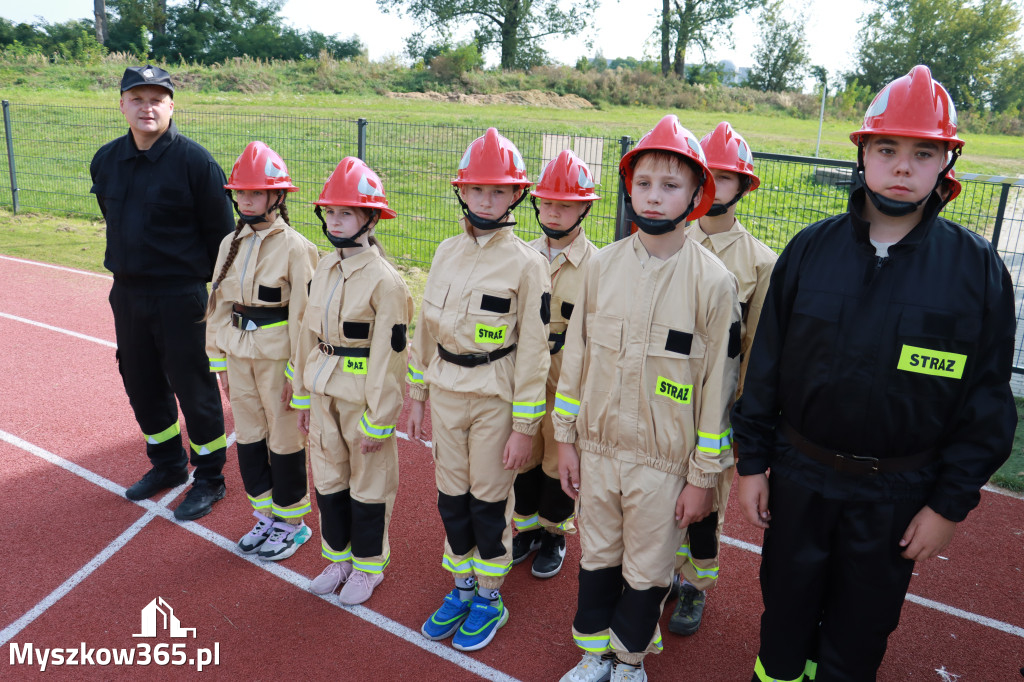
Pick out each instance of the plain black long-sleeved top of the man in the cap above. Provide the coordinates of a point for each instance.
(166, 211)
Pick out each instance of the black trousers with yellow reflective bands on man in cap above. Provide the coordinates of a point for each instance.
(162, 354)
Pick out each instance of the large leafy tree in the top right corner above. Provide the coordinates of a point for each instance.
(960, 40)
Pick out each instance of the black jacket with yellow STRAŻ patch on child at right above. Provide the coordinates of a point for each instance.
(838, 326)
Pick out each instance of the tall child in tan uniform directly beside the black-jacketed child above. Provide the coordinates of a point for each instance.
(642, 415)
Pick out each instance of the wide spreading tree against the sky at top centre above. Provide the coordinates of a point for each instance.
(515, 27)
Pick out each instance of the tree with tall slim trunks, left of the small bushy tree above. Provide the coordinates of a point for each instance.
(701, 23)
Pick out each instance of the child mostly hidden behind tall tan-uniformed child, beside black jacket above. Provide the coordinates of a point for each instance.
(751, 262)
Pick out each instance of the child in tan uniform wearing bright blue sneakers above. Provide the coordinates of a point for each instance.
(481, 354)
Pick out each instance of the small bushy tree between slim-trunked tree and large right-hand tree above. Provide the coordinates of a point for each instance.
(782, 59)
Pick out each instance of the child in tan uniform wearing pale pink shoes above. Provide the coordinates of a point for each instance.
(349, 371)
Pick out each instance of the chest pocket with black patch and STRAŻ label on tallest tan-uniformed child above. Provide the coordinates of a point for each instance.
(675, 363)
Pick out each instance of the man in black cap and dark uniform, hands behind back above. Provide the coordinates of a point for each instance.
(166, 211)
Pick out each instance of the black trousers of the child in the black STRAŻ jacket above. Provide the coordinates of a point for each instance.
(845, 557)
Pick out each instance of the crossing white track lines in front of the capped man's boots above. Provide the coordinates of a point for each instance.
(413, 637)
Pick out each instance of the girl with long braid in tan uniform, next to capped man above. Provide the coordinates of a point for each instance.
(259, 297)
